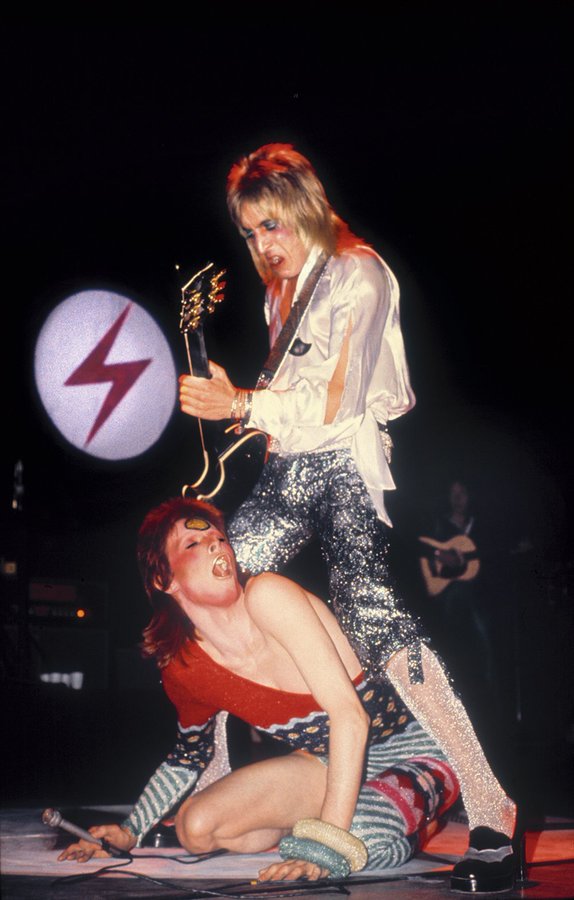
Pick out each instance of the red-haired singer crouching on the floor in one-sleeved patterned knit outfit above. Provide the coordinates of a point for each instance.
(364, 783)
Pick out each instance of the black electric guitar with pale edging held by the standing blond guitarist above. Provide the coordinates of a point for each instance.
(199, 297)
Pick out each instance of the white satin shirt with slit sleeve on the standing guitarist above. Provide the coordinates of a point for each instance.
(356, 286)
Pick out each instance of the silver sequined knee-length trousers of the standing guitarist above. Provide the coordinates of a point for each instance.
(307, 495)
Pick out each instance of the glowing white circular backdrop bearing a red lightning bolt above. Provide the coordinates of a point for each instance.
(124, 380)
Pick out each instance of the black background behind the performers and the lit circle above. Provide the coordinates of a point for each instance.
(443, 135)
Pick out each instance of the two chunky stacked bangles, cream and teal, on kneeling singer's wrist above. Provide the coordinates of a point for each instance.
(325, 845)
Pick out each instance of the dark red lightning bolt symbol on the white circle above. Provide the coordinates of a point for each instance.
(93, 370)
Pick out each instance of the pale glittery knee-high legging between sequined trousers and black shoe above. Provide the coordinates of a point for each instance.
(444, 717)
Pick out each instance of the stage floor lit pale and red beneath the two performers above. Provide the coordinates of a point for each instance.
(30, 868)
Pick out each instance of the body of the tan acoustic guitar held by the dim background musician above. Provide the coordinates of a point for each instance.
(443, 562)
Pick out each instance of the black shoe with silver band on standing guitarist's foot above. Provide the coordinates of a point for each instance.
(488, 866)
